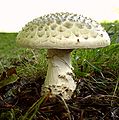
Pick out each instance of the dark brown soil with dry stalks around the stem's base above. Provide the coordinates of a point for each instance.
(91, 100)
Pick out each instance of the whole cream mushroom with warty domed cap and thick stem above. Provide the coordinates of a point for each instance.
(60, 33)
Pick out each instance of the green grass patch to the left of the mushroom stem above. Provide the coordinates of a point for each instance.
(26, 60)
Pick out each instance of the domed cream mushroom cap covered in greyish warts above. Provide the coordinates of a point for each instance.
(63, 31)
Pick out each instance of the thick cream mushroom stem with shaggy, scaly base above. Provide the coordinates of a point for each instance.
(59, 79)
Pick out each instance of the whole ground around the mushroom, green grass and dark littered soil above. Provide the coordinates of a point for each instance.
(97, 71)
